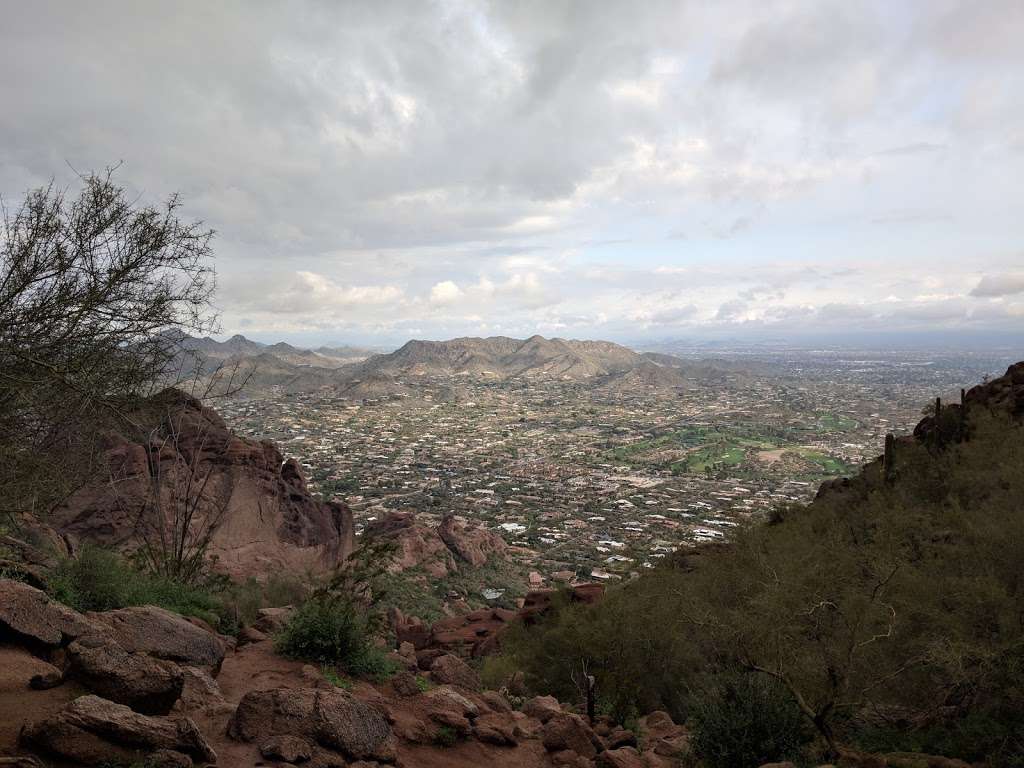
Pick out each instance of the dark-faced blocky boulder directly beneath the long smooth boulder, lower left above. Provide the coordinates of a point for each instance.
(146, 685)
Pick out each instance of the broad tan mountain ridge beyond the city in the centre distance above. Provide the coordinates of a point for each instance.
(501, 358)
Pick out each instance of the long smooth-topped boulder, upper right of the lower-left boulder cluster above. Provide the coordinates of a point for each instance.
(162, 634)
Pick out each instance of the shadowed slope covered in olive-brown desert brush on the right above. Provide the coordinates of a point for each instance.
(886, 613)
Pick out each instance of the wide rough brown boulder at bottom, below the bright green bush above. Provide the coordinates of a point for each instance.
(334, 719)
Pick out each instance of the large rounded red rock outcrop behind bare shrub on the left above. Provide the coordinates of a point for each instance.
(272, 523)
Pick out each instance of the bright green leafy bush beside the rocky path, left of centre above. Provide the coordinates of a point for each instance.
(333, 630)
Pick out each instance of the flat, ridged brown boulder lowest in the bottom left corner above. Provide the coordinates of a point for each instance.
(92, 731)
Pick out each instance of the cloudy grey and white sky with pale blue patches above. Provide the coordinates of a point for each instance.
(378, 172)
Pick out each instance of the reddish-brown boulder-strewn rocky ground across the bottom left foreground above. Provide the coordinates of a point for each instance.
(145, 685)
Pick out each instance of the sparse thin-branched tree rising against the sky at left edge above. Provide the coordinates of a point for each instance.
(96, 293)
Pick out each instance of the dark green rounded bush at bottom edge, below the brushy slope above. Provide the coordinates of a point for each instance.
(746, 721)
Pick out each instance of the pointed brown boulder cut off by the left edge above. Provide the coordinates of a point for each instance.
(29, 617)
